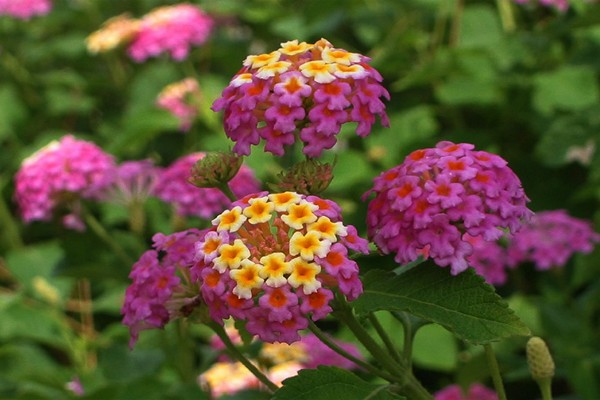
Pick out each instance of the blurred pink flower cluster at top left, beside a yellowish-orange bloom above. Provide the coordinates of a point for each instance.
(170, 29)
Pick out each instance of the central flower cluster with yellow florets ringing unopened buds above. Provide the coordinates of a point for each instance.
(275, 260)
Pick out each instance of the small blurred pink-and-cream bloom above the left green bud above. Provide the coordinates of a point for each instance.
(182, 100)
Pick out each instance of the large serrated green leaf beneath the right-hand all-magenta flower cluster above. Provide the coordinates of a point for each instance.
(464, 304)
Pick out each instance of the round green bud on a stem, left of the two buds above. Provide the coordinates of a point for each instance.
(215, 169)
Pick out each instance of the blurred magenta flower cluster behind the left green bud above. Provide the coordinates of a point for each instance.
(173, 187)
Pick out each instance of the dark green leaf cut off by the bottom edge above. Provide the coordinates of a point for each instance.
(326, 383)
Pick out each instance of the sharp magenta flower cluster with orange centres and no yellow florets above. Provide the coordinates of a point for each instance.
(430, 203)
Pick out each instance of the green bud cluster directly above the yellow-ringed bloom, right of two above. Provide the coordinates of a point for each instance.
(307, 177)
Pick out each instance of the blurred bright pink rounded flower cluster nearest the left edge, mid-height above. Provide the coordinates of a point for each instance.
(59, 176)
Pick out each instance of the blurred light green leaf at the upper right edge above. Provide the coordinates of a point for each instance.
(570, 88)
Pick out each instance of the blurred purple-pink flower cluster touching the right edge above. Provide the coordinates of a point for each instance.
(550, 239)
